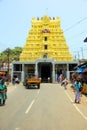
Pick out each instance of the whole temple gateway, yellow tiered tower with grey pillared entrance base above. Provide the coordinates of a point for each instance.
(46, 53)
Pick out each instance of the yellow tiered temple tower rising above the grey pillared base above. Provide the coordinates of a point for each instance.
(46, 40)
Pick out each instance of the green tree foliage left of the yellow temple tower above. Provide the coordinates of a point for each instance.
(13, 54)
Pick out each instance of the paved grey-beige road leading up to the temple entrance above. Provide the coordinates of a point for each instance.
(48, 108)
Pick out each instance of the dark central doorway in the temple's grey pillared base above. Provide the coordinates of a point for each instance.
(45, 72)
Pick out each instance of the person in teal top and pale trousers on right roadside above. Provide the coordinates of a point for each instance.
(77, 86)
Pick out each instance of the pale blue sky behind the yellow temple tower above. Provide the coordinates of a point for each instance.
(16, 16)
